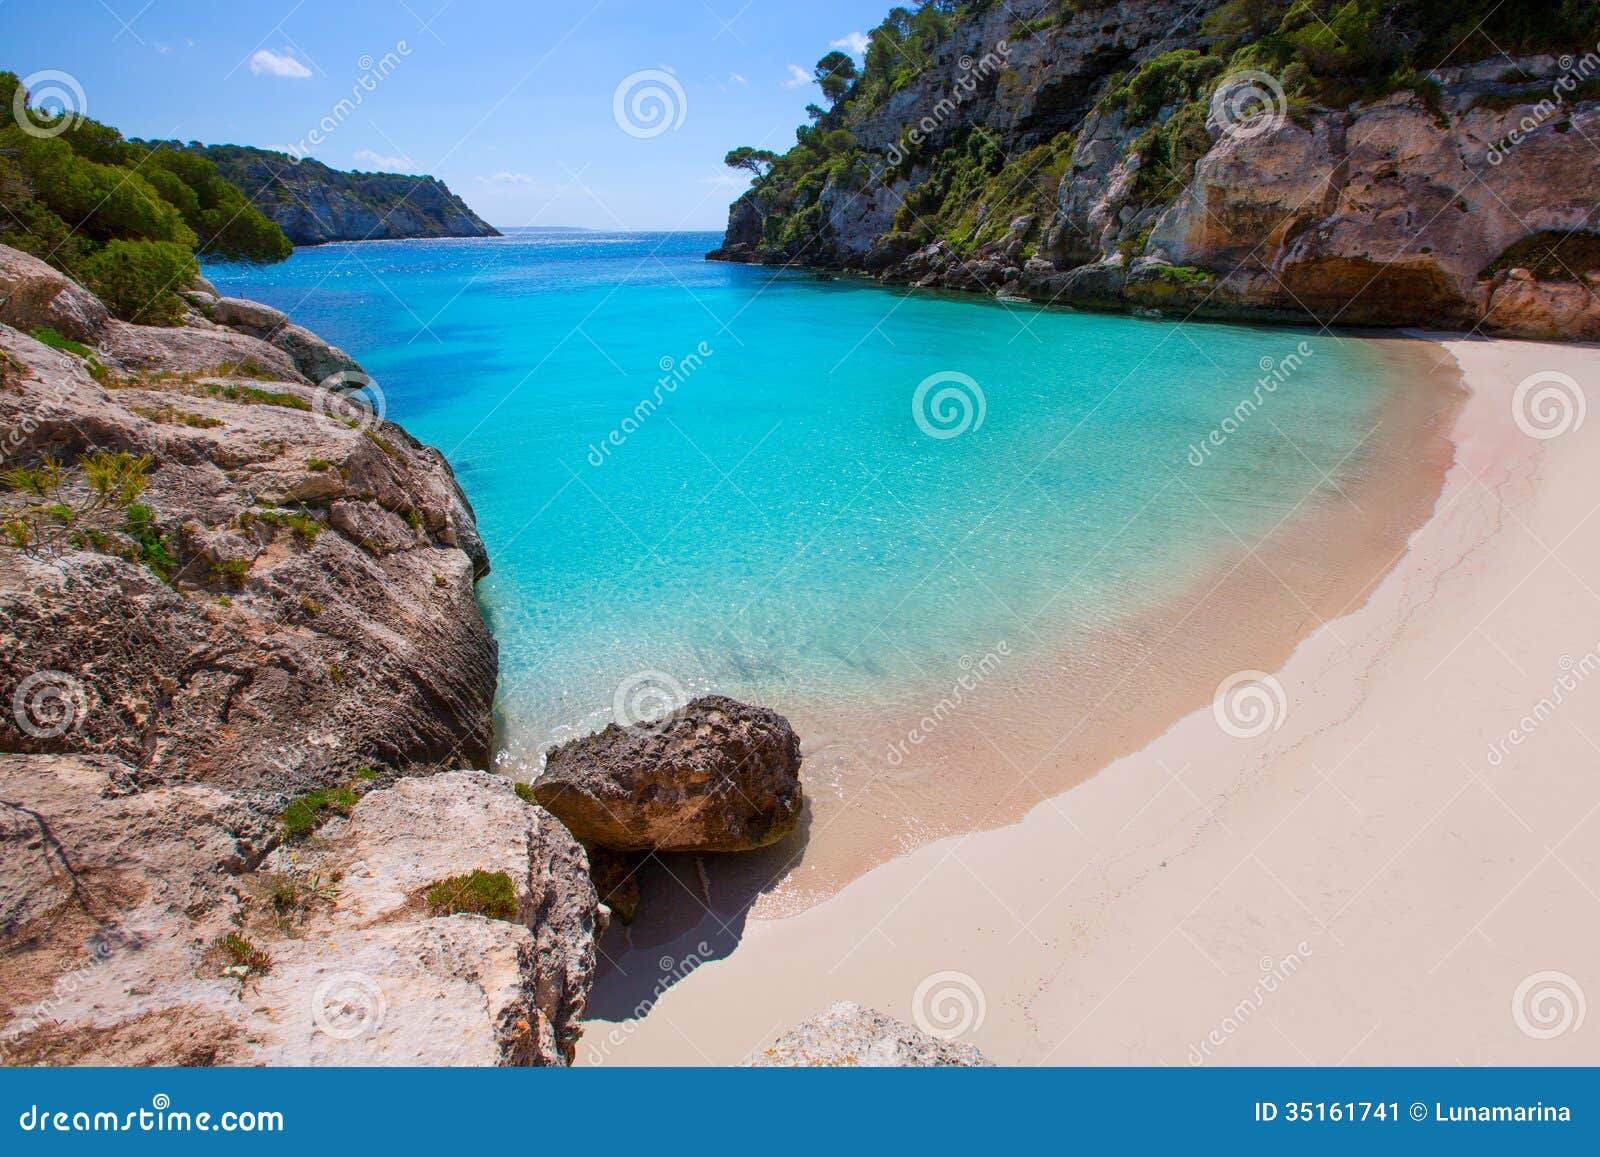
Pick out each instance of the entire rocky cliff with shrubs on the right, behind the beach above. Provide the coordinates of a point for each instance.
(1342, 164)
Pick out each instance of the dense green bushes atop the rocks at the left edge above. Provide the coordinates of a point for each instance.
(126, 220)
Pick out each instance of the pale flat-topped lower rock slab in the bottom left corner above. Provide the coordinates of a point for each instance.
(145, 931)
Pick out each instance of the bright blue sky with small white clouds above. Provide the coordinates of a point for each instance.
(513, 105)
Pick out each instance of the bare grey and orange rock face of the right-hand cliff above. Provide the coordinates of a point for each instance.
(1388, 212)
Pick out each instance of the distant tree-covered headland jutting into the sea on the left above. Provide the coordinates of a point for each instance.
(313, 202)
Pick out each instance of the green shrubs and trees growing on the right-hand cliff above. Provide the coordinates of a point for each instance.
(974, 175)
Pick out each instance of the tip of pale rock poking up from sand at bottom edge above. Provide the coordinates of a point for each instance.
(850, 1036)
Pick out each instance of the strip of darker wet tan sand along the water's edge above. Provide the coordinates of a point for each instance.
(1004, 751)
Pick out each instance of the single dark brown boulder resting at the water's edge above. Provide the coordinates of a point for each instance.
(716, 775)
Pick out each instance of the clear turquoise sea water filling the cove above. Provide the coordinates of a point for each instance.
(775, 522)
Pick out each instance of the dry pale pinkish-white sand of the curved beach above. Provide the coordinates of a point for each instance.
(1386, 862)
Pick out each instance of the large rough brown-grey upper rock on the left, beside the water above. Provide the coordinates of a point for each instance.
(289, 647)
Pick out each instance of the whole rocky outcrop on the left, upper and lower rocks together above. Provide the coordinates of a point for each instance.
(238, 623)
